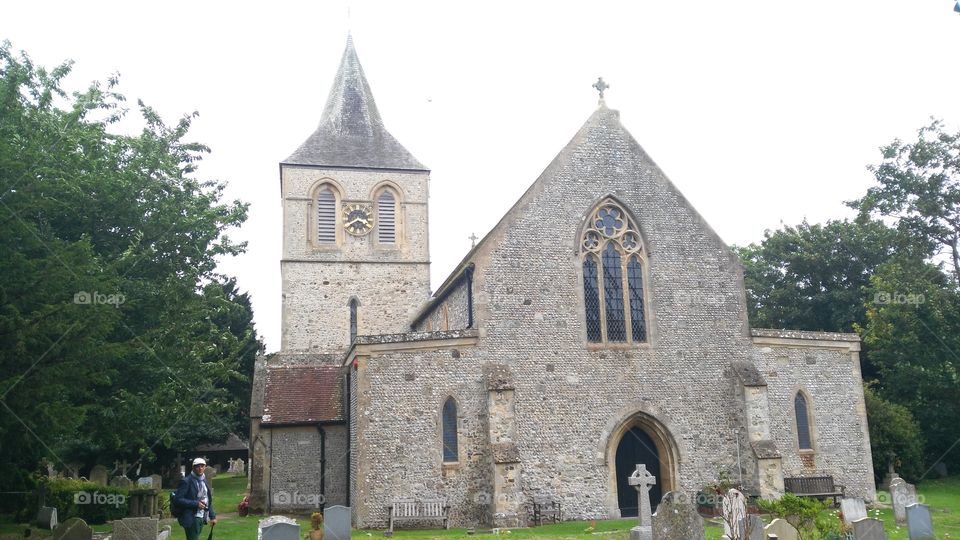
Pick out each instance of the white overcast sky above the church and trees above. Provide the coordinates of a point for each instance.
(762, 112)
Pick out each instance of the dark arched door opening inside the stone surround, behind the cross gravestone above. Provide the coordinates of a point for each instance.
(636, 447)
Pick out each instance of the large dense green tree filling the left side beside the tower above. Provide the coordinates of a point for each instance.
(118, 339)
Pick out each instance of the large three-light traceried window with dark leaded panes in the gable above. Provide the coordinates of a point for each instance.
(613, 259)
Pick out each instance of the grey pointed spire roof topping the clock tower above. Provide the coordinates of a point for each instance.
(351, 132)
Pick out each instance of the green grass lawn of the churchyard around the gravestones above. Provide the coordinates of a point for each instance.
(943, 497)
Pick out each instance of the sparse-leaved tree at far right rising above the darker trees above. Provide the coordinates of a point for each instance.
(919, 187)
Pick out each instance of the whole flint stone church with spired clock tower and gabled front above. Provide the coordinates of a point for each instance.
(601, 324)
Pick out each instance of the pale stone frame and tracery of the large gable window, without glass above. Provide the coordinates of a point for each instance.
(642, 255)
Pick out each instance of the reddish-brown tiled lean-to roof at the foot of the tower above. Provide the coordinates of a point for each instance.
(297, 394)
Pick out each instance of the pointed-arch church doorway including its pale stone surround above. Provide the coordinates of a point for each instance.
(639, 438)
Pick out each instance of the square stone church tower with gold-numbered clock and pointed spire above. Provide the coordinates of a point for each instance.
(355, 240)
